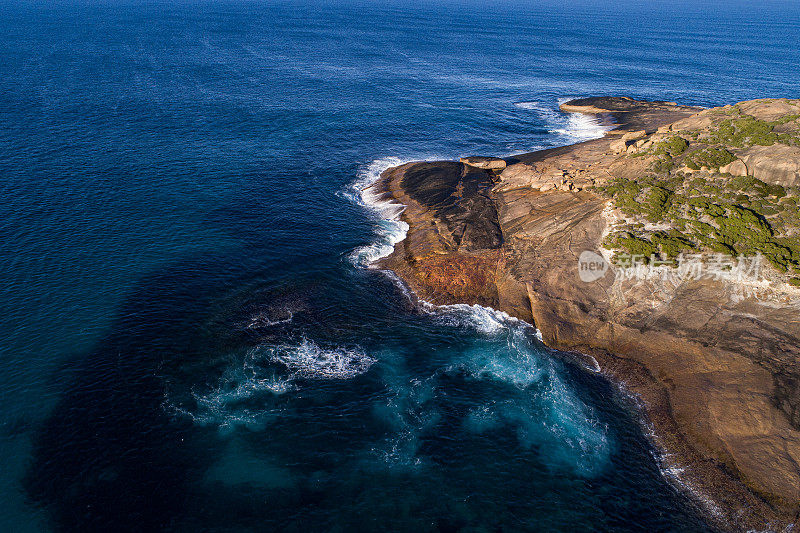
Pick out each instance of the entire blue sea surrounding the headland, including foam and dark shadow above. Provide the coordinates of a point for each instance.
(189, 341)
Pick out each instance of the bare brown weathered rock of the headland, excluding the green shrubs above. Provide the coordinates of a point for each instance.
(718, 371)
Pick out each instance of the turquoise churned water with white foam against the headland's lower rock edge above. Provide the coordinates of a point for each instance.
(546, 412)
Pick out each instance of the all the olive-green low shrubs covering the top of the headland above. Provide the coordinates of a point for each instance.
(684, 204)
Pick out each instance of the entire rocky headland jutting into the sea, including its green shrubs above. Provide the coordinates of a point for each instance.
(715, 360)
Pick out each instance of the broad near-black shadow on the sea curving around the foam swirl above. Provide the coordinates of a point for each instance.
(112, 456)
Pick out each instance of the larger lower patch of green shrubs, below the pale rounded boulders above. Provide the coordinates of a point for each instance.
(670, 215)
